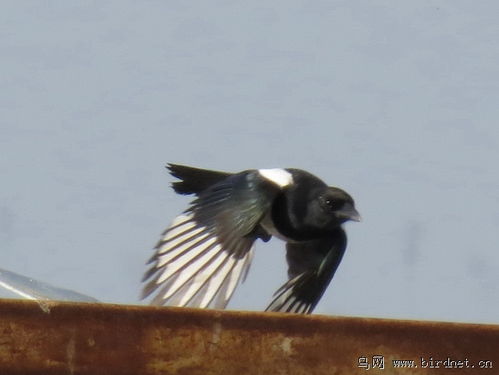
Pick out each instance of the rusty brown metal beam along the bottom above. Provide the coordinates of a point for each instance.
(79, 338)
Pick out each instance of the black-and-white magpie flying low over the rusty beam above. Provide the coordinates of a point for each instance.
(207, 250)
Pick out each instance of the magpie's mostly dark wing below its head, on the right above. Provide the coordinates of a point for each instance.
(312, 265)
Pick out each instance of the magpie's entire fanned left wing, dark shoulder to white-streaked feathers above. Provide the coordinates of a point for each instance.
(207, 250)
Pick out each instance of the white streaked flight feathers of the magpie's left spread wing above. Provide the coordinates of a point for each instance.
(193, 269)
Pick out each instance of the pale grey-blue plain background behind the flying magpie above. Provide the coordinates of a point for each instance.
(395, 101)
